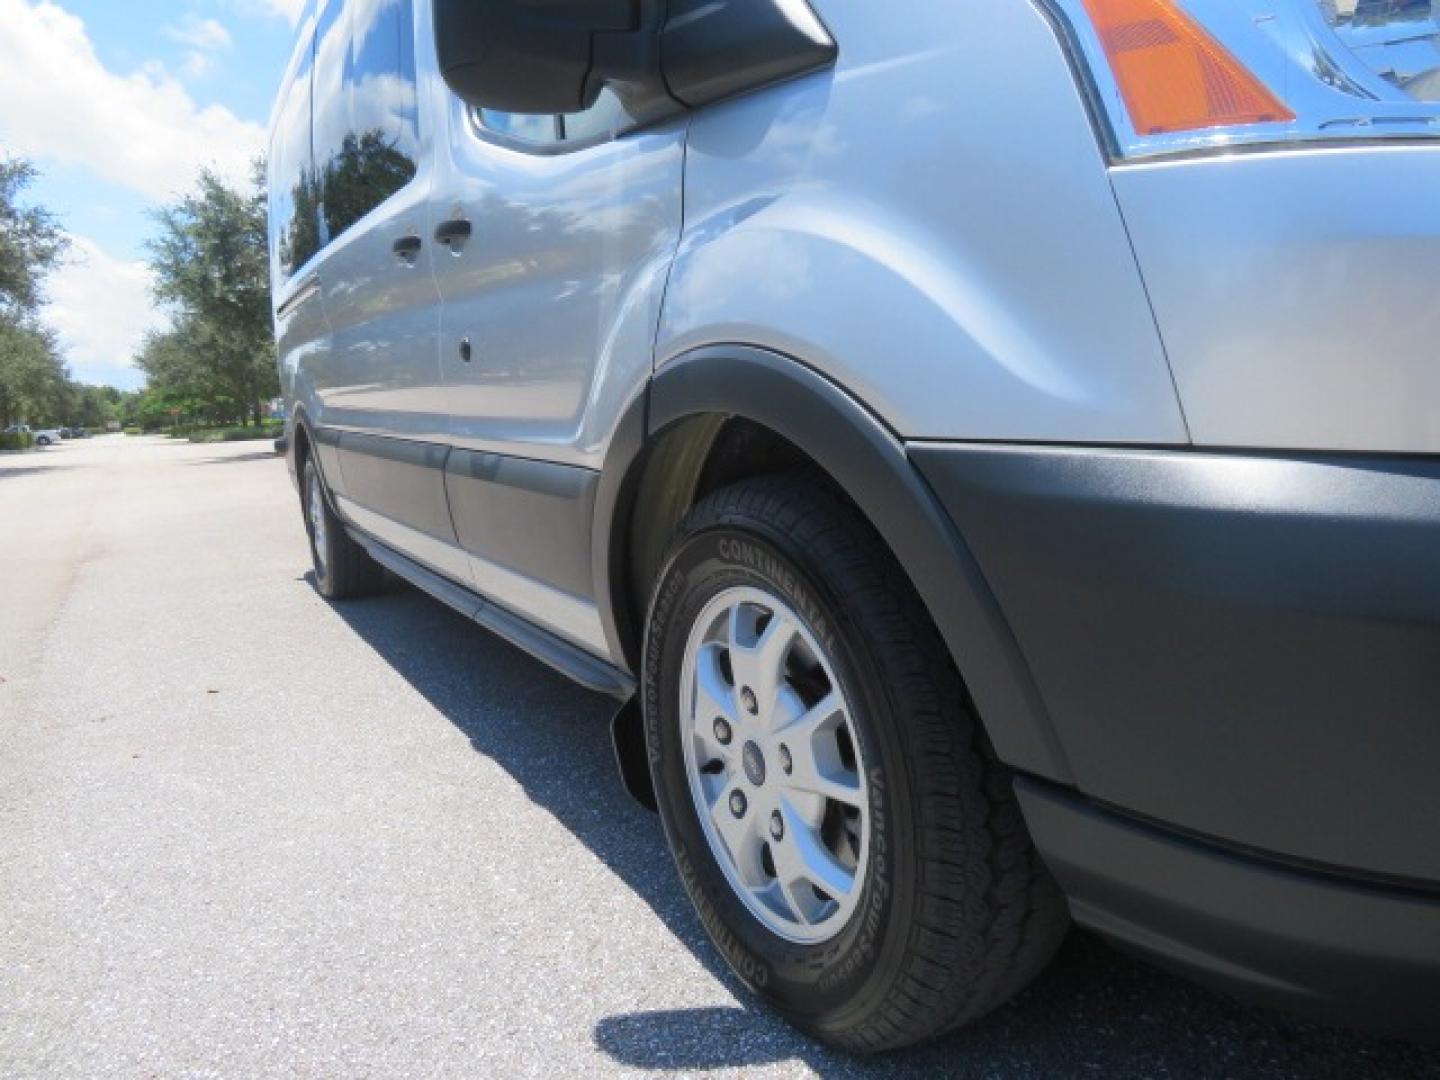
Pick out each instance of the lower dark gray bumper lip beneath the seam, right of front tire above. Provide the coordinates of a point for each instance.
(1341, 950)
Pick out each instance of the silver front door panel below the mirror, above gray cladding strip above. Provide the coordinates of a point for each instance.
(559, 290)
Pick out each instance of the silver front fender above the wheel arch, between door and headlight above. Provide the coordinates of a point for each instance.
(961, 269)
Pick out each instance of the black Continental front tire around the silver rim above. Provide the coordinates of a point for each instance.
(958, 912)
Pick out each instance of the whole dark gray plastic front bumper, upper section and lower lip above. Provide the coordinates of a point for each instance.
(1243, 653)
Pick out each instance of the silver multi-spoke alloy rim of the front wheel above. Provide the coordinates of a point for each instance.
(774, 765)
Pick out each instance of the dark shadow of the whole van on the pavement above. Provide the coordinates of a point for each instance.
(1097, 1013)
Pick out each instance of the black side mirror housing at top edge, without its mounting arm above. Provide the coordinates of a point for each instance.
(544, 57)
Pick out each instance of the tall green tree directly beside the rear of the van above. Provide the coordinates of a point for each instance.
(211, 263)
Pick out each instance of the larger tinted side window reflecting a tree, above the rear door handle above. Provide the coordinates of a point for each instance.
(366, 107)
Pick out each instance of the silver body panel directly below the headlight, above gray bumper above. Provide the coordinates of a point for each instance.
(1295, 293)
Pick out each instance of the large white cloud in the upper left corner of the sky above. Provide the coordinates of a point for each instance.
(60, 103)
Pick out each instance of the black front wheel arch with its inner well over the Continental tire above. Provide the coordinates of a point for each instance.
(689, 436)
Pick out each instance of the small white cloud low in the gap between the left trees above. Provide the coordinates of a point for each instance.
(102, 309)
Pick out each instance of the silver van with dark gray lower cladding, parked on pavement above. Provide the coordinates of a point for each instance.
(990, 450)
